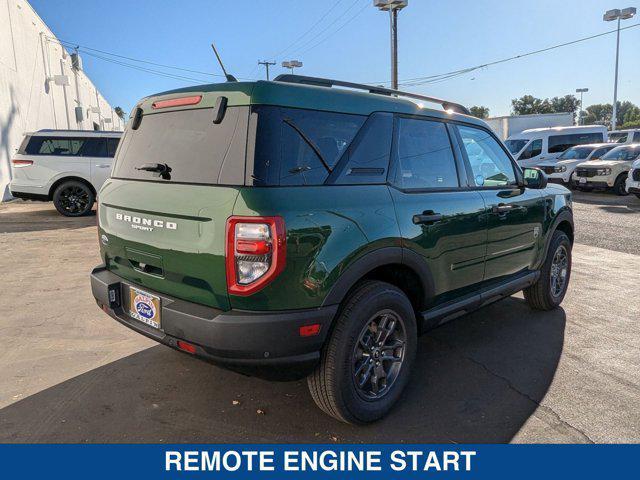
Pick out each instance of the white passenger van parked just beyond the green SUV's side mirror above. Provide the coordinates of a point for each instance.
(532, 147)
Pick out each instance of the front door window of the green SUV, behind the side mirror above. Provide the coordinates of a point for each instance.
(489, 163)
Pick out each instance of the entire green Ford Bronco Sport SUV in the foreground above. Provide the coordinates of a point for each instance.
(313, 227)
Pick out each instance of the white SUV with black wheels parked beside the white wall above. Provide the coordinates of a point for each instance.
(67, 167)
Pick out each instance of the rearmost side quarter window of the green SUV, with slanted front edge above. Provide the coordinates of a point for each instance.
(312, 143)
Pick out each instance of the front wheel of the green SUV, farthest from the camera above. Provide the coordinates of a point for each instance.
(549, 291)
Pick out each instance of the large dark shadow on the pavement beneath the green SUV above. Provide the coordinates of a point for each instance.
(476, 379)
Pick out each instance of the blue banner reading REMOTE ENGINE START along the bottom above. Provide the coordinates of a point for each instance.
(319, 461)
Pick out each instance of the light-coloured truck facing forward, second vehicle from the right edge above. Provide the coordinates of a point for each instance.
(611, 171)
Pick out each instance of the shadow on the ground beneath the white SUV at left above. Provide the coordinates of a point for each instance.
(31, 217)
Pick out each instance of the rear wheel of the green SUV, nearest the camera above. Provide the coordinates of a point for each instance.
(366, 362)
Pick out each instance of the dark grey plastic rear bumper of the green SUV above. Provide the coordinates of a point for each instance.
(252, 342)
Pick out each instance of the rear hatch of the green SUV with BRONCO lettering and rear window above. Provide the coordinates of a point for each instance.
(175, 181)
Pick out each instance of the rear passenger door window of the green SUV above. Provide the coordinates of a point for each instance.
(424, 158)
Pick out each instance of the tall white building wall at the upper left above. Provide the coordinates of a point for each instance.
(29, 54)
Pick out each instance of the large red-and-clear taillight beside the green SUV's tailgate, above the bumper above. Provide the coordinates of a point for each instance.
(256, 252)
